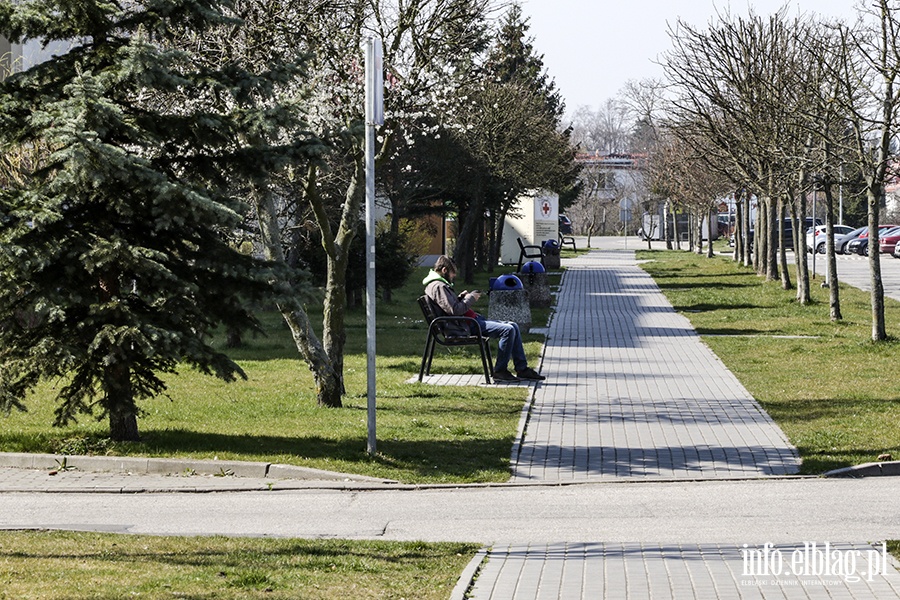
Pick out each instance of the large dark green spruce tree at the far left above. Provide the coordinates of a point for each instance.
(114, 251)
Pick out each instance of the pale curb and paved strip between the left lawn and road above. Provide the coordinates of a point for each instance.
(174, 466)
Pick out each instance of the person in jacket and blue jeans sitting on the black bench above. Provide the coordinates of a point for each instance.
(439, 289)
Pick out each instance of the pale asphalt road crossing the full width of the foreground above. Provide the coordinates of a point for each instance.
(758, 511)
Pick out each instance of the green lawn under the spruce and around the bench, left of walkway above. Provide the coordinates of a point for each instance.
(425, 433)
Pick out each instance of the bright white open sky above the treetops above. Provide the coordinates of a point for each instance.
(592, 48)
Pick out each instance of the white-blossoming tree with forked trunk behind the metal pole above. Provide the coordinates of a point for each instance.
(422, 42)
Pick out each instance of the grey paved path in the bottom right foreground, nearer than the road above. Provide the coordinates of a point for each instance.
(678, 571)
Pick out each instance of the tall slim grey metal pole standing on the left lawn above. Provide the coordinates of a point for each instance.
(374, 116)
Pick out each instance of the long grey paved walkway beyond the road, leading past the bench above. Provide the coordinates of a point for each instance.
(632, 391)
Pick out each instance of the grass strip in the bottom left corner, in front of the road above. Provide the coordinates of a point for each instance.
(72, 565)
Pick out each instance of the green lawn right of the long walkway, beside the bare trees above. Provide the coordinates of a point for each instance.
(833, 391)
